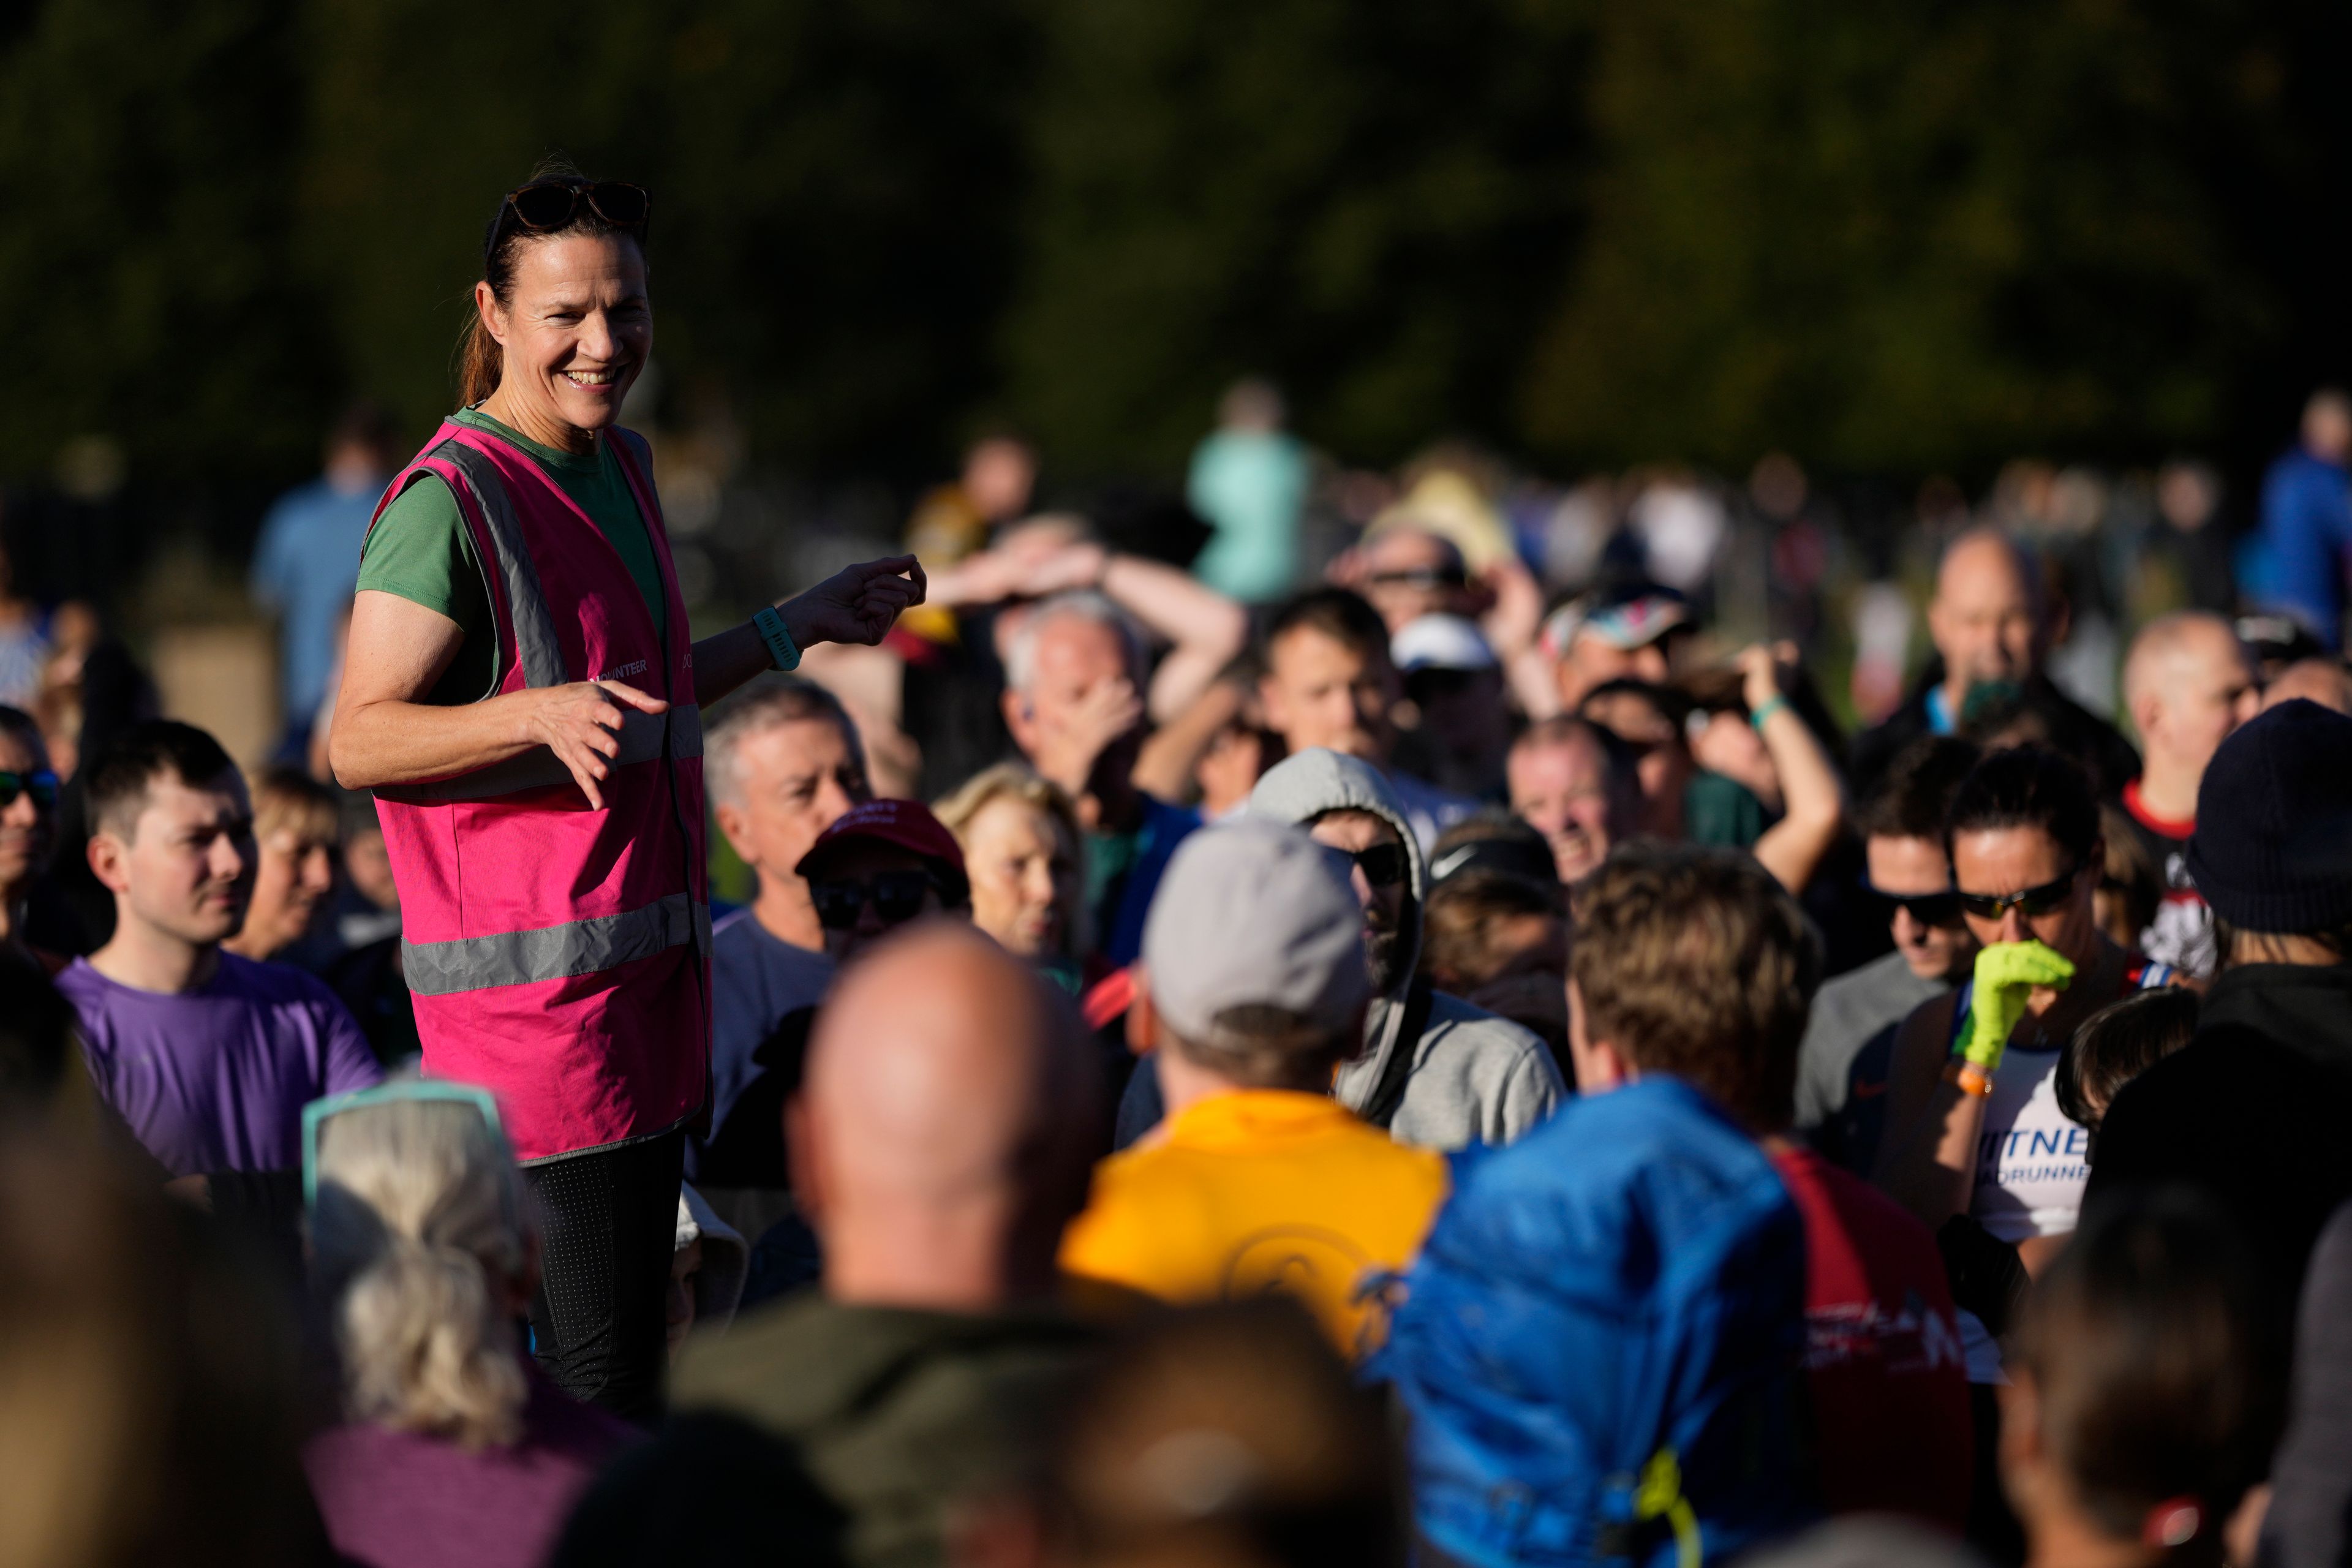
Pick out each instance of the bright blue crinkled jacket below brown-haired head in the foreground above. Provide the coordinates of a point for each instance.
(1601, 1346)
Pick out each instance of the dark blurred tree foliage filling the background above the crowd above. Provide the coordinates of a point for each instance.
(1887, 239)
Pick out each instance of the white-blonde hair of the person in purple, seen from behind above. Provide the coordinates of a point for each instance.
(417, 1226)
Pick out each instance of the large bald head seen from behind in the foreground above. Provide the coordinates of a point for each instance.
(940, 1141)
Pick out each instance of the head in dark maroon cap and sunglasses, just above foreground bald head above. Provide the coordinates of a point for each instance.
(878, 869)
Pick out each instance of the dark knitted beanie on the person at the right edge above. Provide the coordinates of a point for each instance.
(2273, 845)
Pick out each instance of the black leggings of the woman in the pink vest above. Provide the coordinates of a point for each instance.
(608, 1226)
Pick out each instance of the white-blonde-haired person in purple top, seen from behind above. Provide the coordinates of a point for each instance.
(453, 1447)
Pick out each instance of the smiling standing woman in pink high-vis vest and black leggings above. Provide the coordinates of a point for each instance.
(526, 704)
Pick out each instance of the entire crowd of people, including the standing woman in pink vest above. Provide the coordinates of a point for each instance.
(1278, 1059)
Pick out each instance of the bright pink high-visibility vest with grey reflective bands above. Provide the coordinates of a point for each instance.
(554, 953)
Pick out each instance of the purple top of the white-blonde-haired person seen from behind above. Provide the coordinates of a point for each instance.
(396, 1499)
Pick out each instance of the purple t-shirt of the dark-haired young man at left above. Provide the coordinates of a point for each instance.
(215, 1080)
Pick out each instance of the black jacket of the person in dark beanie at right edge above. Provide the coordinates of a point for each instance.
(2257, 1113)
